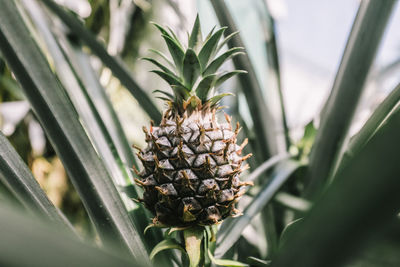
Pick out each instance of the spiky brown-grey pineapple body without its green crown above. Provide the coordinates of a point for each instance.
(191, 169)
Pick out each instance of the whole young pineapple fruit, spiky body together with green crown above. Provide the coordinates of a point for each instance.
(192, 162)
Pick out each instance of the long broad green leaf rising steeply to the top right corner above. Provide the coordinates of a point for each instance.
(336, 117)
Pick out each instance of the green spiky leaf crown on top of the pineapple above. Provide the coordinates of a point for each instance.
(193, 72)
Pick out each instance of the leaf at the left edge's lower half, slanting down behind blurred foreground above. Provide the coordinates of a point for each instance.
(16, 176)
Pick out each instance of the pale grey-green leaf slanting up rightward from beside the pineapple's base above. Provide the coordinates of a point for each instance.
(232, 228)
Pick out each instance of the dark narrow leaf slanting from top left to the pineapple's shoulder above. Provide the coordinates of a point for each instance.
(116, 65)
